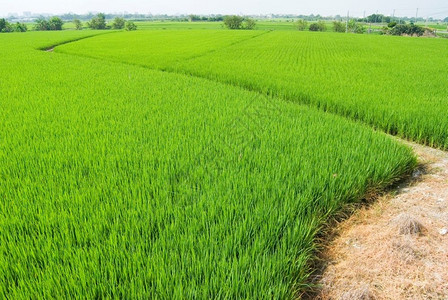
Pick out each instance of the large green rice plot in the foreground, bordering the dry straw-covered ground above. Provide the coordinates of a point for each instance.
(117, 181)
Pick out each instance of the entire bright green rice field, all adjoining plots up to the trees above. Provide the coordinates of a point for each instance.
(198, 163)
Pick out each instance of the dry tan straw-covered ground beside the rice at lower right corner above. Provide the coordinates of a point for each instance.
(398, 247)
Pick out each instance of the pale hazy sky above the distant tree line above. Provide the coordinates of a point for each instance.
(427, 8)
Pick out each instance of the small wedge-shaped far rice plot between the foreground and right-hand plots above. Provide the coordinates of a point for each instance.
(158, 49)
